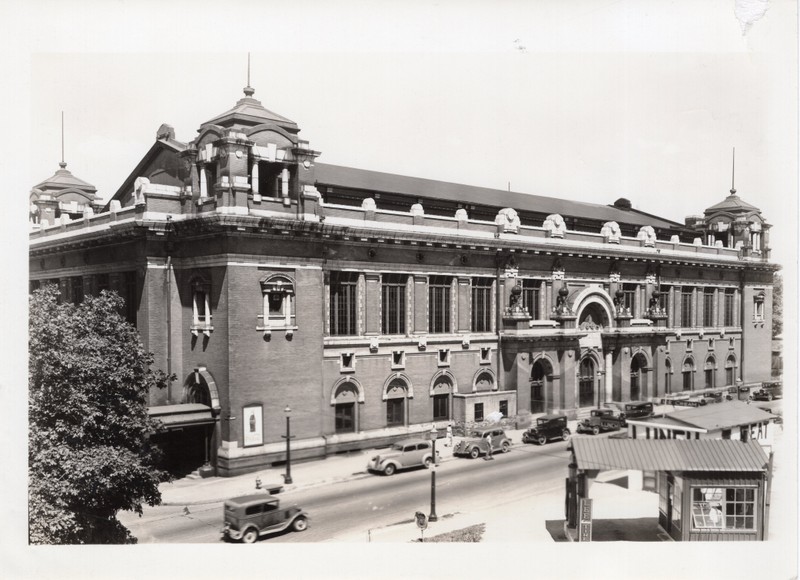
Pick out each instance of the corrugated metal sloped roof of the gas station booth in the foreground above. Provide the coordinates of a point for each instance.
(669, 454)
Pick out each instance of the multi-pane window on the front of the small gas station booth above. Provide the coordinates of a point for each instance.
(724, 509)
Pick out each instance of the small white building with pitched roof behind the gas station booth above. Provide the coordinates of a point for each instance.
(731, 420)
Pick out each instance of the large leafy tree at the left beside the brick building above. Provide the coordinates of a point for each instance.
(88, 444)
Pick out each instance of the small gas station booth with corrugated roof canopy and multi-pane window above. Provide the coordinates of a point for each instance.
(708, 489)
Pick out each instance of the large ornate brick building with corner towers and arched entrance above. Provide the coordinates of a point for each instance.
(374, 305)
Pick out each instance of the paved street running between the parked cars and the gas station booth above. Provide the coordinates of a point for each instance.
(373, 501)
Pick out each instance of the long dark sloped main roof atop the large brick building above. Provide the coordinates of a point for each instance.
(349, 177)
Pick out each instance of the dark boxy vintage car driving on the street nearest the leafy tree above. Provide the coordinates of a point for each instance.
(249, 516)
